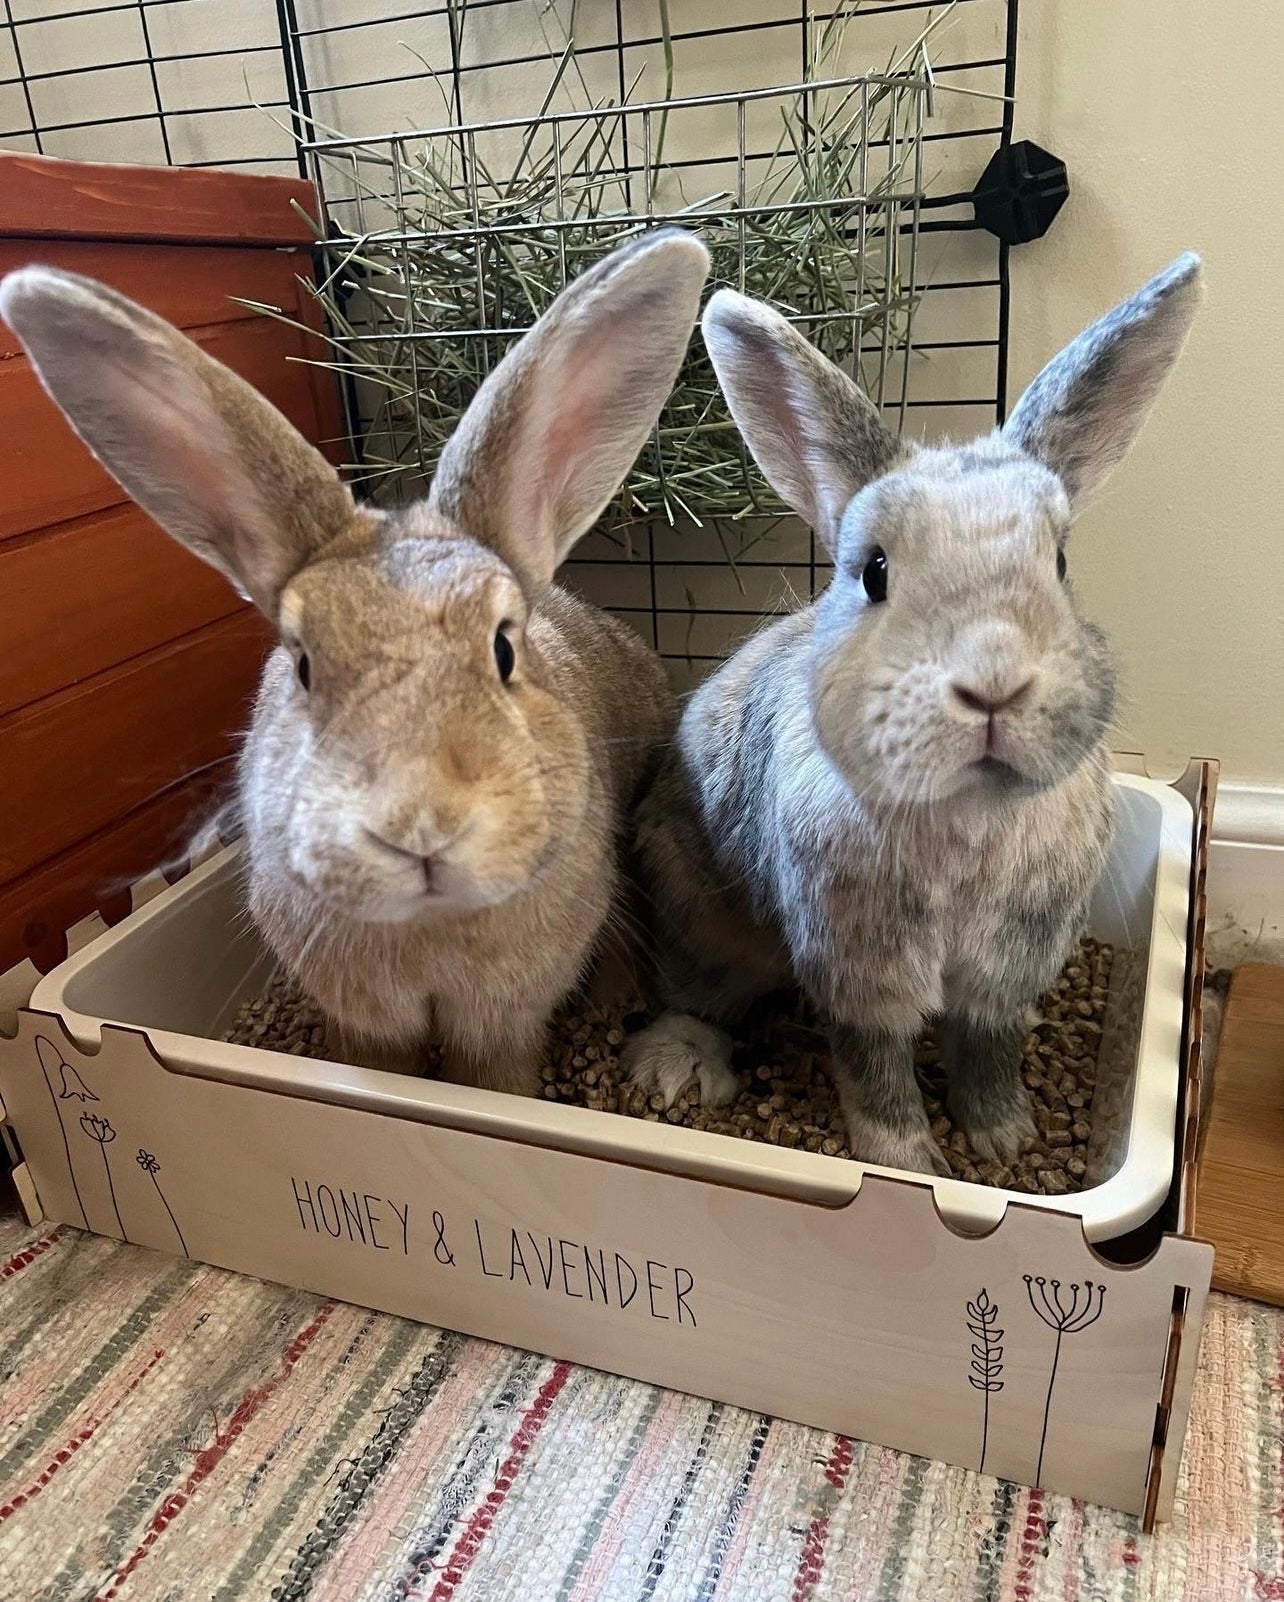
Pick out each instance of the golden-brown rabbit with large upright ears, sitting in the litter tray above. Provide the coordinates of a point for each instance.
(432, 847)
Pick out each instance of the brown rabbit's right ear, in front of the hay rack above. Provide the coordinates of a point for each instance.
(557, 427)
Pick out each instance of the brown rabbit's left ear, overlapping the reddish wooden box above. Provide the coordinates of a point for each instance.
(200, 451)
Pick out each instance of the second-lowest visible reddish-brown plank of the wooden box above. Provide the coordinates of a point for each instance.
(86, 757)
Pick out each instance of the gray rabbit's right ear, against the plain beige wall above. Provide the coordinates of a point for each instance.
(1083, 413)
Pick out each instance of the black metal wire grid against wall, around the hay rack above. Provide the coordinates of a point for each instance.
(248, 83)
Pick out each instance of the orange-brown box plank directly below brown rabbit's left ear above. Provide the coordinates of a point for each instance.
(89, 595)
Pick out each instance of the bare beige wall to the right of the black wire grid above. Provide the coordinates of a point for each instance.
(1171, 118)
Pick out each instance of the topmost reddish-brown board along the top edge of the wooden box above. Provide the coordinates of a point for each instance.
(54, 199)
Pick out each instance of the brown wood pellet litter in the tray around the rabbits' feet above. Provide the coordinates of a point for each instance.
(783, 1060)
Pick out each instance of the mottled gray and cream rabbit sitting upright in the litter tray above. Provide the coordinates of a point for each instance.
(903, 803)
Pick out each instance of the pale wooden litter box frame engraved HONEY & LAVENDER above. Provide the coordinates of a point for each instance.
(1022, 1351)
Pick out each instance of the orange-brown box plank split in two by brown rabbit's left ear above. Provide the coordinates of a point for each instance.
(49, 475)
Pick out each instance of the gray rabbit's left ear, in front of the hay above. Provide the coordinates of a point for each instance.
(812, 432)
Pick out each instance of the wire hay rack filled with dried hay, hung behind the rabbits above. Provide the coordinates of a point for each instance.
(446, 244)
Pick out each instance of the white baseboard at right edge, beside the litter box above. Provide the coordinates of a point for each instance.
(1246, 875)
